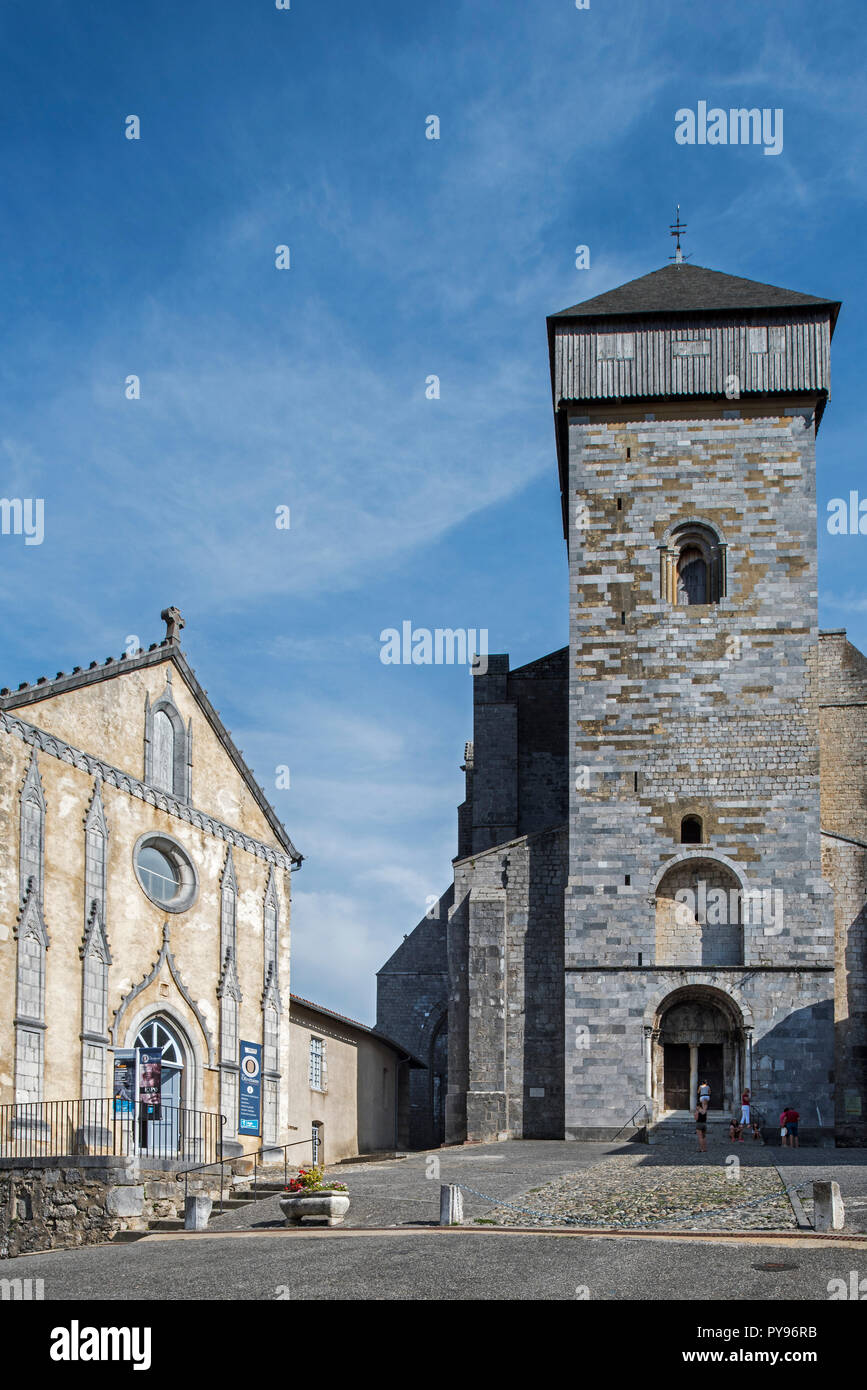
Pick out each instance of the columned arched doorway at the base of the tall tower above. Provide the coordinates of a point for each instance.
(698, 1036)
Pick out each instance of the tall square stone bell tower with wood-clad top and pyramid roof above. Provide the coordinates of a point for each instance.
(700, 932)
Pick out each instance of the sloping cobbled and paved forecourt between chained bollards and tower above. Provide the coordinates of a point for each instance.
(627, 1186)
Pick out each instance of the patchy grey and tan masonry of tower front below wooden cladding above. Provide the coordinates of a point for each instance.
(704, 710)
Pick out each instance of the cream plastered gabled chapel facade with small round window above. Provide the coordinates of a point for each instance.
(145, 894)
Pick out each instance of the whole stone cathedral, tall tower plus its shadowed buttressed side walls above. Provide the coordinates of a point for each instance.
(662, 857)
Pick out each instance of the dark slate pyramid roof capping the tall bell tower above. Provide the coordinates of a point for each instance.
(679, 290)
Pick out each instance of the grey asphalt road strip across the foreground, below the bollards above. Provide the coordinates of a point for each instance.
(451, 1266)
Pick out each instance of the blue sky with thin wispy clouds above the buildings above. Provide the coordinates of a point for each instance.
(306, 387)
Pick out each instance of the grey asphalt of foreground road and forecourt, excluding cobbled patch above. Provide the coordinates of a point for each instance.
(251, 1256)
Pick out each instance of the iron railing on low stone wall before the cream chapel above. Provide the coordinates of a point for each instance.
(106, 1127)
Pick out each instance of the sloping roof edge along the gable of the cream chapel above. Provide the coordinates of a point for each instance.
(159, 653)
